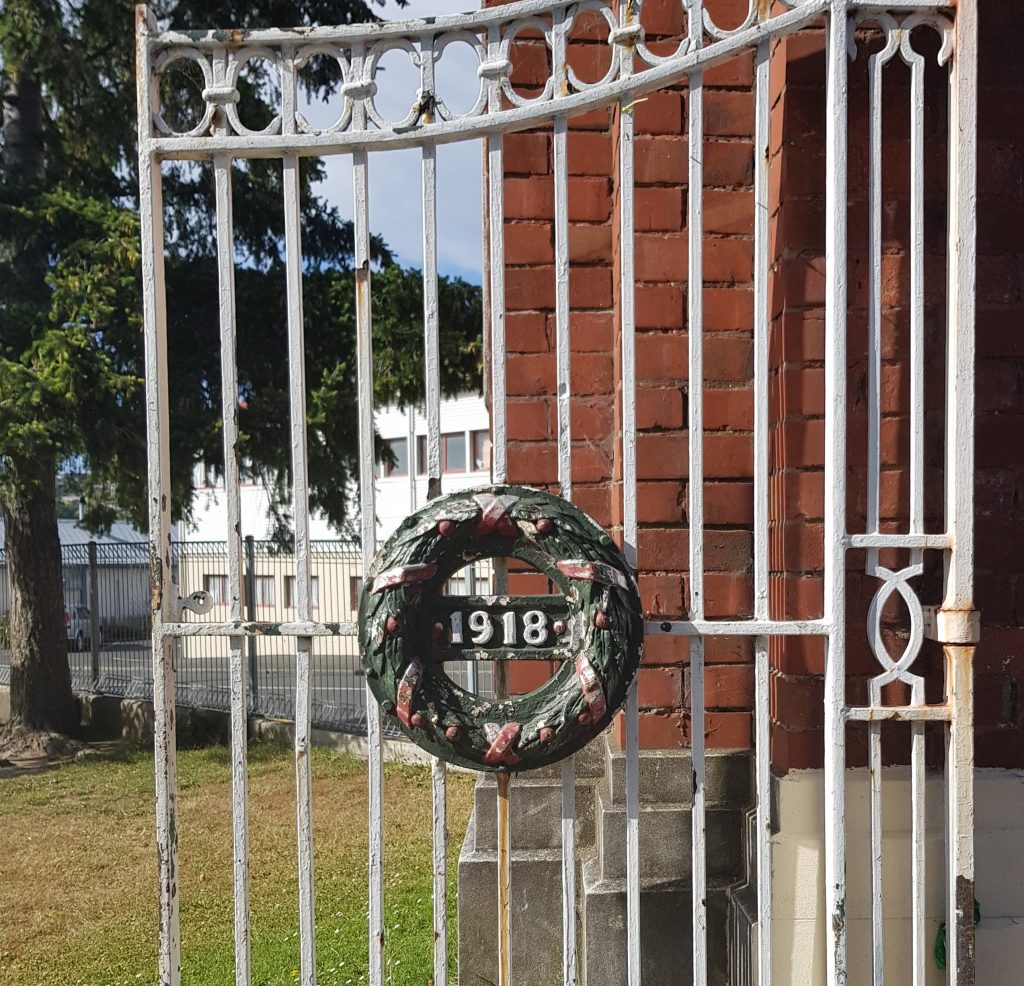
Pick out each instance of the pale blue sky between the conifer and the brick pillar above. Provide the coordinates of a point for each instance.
(396, 211)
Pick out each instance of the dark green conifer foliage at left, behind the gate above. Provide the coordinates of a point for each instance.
(71, 341)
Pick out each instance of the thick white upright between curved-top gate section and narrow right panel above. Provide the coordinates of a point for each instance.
(835, 484)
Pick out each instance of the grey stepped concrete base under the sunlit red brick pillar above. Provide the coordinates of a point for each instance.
(666, 897)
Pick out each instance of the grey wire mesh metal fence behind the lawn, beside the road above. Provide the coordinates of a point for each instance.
(107, 616)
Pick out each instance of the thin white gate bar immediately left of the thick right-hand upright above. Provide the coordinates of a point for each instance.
(762, 739)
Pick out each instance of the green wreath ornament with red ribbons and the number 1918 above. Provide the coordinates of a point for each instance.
(409, 628)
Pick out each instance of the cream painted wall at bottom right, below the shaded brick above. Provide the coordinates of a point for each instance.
(798, 868)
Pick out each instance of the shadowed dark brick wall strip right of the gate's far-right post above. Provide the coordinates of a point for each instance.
(1000, 446)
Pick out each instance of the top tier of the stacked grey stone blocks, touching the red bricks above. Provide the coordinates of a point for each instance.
(668, 777)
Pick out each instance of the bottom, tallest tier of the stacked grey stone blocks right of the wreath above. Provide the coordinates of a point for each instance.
(666, 932)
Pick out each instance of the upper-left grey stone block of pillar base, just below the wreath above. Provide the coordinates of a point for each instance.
(536, 812)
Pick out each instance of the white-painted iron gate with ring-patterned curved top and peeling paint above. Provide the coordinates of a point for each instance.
(221, 138)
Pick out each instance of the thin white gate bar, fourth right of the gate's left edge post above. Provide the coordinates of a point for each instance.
(433, 393)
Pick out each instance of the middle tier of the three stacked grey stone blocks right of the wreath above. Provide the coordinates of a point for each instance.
(666, 851)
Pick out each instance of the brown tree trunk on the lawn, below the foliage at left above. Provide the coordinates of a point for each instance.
(41, 698)
